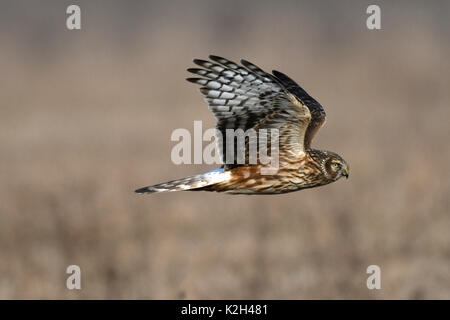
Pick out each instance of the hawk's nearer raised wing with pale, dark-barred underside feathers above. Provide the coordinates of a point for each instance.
(245, 97)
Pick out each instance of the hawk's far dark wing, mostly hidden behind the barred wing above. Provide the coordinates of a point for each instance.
(316, 109)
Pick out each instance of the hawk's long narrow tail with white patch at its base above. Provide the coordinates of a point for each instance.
(189, 183)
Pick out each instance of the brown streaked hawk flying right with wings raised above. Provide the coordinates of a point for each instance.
(245, 97)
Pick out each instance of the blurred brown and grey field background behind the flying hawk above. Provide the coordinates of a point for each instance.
(86, 118)
